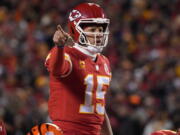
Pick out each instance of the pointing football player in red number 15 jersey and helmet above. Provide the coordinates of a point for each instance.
(79, 74)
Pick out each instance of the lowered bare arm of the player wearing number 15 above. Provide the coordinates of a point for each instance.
(106, 127)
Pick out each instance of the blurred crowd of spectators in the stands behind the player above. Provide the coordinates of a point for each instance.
(144, 51)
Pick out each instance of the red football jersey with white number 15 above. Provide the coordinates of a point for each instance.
(77, 89)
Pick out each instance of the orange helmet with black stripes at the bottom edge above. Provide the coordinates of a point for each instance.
(45, 129)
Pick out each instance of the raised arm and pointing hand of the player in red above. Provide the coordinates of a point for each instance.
(59, 62)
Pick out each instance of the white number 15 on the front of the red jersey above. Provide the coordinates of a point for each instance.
(88, 107)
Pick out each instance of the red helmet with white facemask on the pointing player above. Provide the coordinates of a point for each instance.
(88, 14)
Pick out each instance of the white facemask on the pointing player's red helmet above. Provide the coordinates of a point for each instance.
(100, 38)
